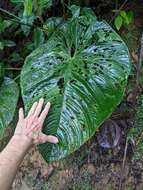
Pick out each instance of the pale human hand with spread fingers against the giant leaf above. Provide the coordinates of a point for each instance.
(31, 126)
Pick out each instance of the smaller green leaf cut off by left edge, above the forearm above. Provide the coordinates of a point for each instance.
(8, 100)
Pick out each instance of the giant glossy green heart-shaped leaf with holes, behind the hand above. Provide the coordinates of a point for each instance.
(82, 70)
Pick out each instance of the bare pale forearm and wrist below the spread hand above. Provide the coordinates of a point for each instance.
(10, 158)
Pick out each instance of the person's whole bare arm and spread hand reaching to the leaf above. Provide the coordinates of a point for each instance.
(27, 133)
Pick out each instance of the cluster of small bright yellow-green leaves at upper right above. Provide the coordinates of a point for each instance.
(123, 19)
